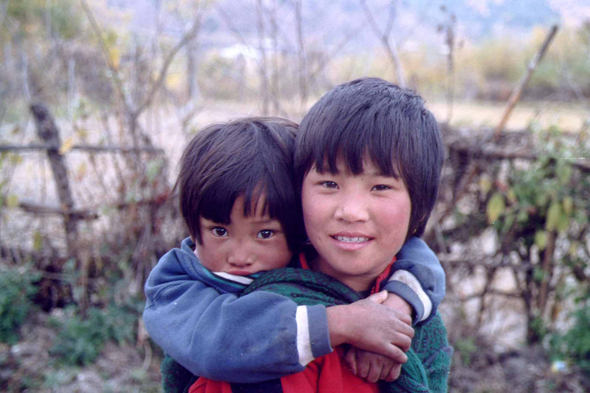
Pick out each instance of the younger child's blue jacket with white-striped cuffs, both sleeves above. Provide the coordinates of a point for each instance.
(255, 338)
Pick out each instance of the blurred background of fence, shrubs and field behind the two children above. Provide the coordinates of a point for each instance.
(99, 97)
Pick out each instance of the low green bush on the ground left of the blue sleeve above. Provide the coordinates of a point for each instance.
(80, 340)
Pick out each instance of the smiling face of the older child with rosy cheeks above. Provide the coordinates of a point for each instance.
(356, 223)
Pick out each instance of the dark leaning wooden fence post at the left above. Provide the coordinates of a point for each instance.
(47, 130)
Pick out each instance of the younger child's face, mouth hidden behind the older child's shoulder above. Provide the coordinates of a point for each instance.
(247, 245)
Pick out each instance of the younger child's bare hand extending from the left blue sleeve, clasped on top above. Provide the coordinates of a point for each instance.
(369, 325)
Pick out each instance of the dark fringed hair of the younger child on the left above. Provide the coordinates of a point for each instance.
(248, 157)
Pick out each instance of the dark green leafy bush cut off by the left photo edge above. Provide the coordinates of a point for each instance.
(17, 286)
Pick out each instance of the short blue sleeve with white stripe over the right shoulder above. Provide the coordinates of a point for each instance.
(418, 278)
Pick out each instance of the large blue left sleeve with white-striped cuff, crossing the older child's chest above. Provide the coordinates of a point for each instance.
(217, 335)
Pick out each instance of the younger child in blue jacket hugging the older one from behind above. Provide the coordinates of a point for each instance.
(241, 206)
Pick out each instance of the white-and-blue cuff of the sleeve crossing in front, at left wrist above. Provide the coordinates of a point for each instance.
(313, 337)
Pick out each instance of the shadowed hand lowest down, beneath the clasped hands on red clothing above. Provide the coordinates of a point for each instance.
(372, 366)
